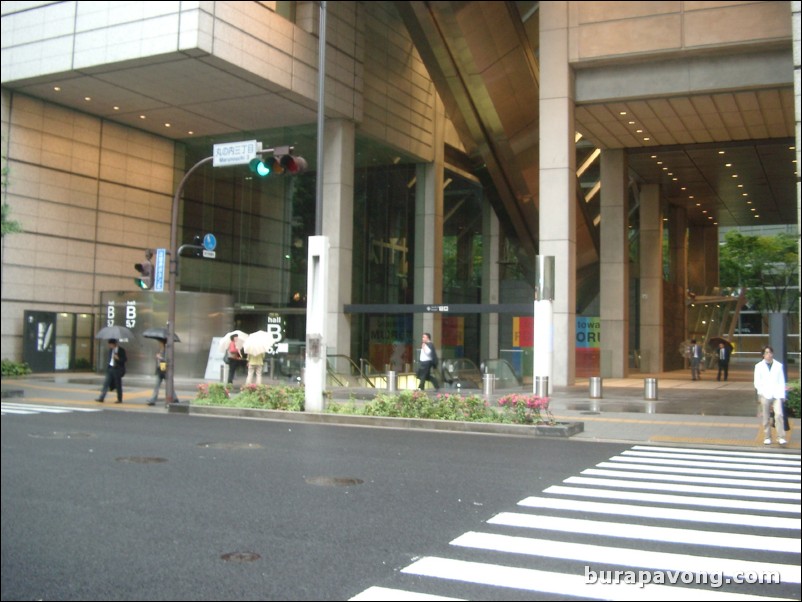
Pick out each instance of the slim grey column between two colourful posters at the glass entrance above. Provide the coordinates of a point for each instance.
(491, 252)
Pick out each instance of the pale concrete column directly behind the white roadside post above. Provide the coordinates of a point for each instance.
(338, 222)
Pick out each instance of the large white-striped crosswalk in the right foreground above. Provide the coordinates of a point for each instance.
(652, 523)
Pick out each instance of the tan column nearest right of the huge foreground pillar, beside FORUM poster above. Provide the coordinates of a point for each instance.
(614, 266)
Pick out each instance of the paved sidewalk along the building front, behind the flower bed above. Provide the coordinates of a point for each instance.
(704, 412)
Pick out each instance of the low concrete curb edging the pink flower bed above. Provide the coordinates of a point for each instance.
(561, 429)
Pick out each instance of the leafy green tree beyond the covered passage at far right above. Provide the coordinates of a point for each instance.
(768, 266)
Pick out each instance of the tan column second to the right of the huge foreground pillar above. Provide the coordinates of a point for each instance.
(651, 280)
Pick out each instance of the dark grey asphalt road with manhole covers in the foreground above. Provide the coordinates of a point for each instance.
(106, 505)
